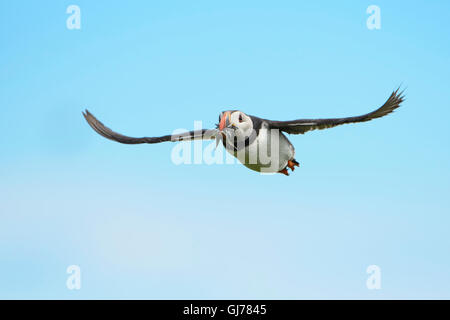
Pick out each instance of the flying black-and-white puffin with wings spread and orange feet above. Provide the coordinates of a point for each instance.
(259, 144)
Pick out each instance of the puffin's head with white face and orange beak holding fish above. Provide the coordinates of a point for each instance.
(235, 122)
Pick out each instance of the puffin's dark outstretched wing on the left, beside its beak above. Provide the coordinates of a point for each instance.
(106, 132)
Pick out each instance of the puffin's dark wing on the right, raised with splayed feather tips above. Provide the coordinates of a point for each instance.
(304, 125)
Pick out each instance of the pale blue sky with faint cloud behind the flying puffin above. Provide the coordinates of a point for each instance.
(141, 227)
